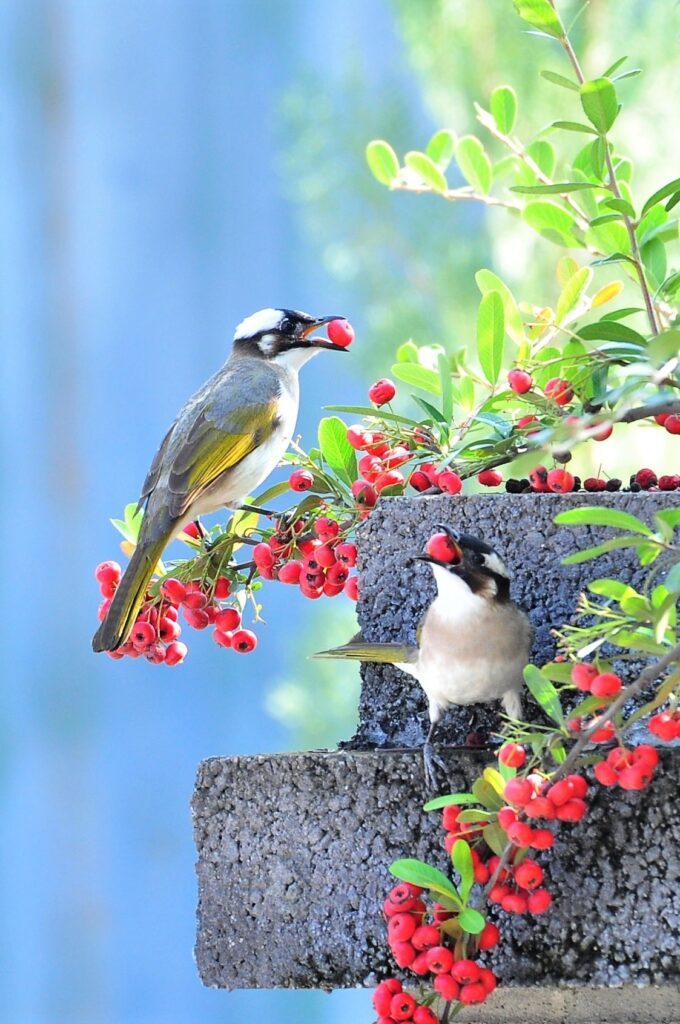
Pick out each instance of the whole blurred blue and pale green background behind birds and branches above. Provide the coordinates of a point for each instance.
(166, 168)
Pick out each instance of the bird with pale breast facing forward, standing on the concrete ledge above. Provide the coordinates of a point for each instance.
(473, 644)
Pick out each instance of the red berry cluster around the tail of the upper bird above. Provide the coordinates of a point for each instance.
(156, 632)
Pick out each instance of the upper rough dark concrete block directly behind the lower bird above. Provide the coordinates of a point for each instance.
(395, 595)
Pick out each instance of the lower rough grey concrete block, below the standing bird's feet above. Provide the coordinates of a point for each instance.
(293, 867)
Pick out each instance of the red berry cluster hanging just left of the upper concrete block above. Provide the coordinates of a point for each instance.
(319, 563)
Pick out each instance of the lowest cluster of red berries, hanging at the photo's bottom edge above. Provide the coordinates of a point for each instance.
(420, 944)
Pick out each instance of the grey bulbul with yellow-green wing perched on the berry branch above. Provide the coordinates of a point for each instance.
(225, 443)
